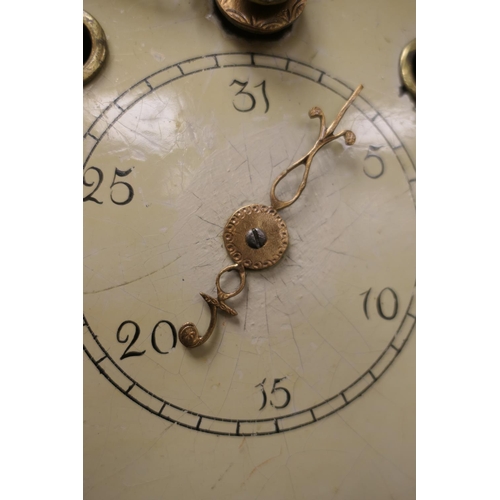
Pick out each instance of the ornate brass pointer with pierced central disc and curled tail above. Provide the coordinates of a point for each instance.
(255, 236)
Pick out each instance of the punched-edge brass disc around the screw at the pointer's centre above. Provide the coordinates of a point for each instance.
(249, 218)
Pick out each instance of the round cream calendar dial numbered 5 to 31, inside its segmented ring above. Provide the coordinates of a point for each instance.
(166, 168)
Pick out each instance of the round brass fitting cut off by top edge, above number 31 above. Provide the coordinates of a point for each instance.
(261, 19)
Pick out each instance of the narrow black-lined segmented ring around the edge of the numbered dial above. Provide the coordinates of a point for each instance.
(213, 424)
